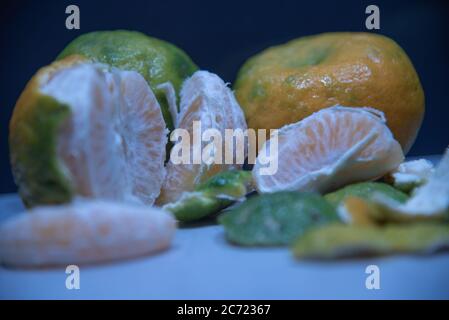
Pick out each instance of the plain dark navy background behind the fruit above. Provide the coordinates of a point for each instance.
(220, 36)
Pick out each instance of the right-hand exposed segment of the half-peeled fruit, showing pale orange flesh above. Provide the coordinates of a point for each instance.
(142, 132)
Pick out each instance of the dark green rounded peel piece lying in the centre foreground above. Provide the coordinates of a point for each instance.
(277, 218)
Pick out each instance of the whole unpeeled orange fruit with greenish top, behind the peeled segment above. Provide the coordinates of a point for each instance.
(286, 83)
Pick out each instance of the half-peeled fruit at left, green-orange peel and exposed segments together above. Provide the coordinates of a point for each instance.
(85, 129)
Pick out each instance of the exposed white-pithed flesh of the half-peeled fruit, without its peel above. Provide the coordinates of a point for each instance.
(113, 144)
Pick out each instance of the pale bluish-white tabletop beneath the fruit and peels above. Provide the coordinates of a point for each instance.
(202, 265)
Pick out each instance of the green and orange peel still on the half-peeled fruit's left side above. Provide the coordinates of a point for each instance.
(33, 129)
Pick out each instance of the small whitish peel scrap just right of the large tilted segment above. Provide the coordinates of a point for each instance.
(411, 174)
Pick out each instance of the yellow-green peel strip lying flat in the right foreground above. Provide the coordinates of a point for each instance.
(342, 241)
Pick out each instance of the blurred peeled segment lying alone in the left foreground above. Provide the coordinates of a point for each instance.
(84, 232)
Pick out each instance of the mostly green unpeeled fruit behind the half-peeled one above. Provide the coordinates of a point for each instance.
(156, 60)
